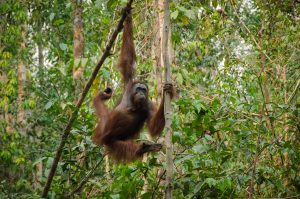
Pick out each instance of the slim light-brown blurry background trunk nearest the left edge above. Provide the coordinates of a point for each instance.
(21, 82)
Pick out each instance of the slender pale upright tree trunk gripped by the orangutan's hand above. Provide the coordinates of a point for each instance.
(168, 139)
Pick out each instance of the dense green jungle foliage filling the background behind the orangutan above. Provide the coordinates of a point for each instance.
(235, 120)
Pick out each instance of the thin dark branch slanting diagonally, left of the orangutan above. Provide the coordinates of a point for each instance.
(87, 87)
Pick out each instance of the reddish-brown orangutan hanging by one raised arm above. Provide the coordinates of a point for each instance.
(118, 128)
